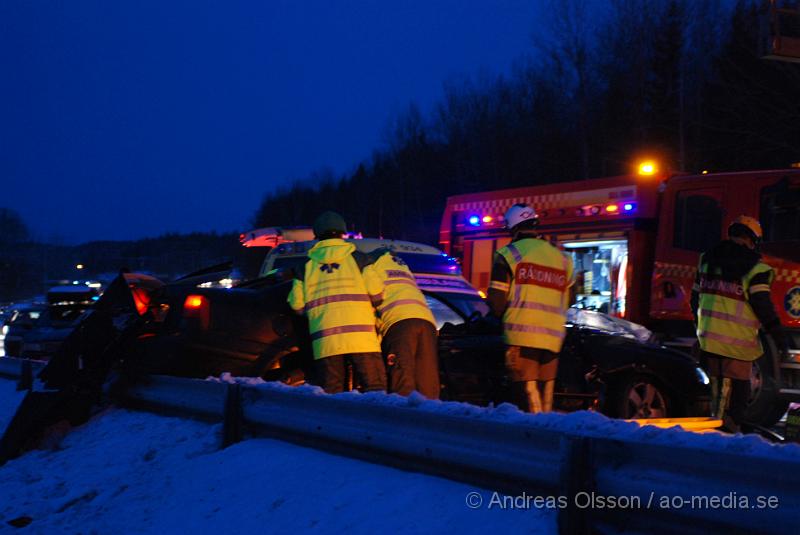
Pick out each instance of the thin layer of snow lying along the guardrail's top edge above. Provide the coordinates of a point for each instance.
(585, 423)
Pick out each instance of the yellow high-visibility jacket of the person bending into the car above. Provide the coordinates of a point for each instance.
(402, 299)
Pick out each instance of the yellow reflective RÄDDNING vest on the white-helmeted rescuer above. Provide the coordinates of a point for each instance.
(538, 294)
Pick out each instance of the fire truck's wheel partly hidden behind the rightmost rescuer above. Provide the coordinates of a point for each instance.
(765, 407)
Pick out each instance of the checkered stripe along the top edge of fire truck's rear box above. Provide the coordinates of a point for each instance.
(552, 200)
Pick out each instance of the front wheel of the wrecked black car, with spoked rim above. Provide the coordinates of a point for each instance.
(640, 396)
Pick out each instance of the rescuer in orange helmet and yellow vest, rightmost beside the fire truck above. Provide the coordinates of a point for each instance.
(730, 300)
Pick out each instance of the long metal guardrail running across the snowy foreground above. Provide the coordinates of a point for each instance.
(508, 457)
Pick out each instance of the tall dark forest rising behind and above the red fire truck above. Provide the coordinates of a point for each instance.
(680, 78)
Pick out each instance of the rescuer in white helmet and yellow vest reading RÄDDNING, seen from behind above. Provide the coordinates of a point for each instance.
(529, 289)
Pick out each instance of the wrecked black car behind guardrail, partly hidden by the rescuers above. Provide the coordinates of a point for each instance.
(606, 364)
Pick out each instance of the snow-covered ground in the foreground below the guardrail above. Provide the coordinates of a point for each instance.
(129, 472)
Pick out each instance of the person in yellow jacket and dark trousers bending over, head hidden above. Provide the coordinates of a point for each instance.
(407, 327)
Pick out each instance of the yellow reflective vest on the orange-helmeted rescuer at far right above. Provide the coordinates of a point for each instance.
(726, 324)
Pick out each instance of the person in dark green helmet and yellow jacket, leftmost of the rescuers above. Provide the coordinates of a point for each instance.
(339, 301)
